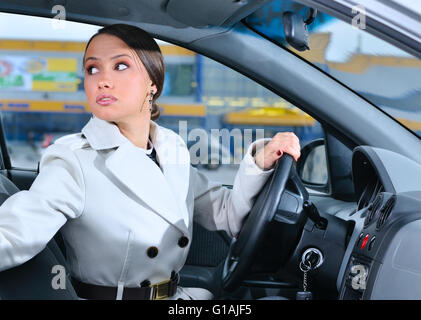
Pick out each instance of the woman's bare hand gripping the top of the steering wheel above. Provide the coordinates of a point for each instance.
(282, 142)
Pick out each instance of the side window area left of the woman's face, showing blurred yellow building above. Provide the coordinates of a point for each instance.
(41, 84)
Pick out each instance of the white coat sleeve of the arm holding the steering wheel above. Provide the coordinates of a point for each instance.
(219, 208)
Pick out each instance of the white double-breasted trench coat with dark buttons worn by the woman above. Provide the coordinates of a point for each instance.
(114, 203)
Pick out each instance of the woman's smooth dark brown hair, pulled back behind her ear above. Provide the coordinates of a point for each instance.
(148, 51)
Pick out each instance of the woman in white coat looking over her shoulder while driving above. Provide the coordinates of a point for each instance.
(123, 191)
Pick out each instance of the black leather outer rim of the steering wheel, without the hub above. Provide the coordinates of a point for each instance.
(243, 249)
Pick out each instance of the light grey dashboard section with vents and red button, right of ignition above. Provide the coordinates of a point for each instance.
(381, 260)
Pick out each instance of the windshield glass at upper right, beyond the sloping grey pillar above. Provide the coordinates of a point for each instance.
(382, 73)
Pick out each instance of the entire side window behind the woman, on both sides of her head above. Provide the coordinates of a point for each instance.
(217, 111)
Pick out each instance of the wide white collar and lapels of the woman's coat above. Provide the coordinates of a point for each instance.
(164, 192)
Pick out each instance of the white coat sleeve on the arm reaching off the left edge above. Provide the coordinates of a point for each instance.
(29, 219)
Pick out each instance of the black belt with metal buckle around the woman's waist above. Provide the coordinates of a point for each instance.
(159, 291)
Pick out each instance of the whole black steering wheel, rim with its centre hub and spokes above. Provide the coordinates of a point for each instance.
(280, 200)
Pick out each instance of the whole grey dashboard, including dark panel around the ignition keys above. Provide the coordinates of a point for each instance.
(370, 247)
